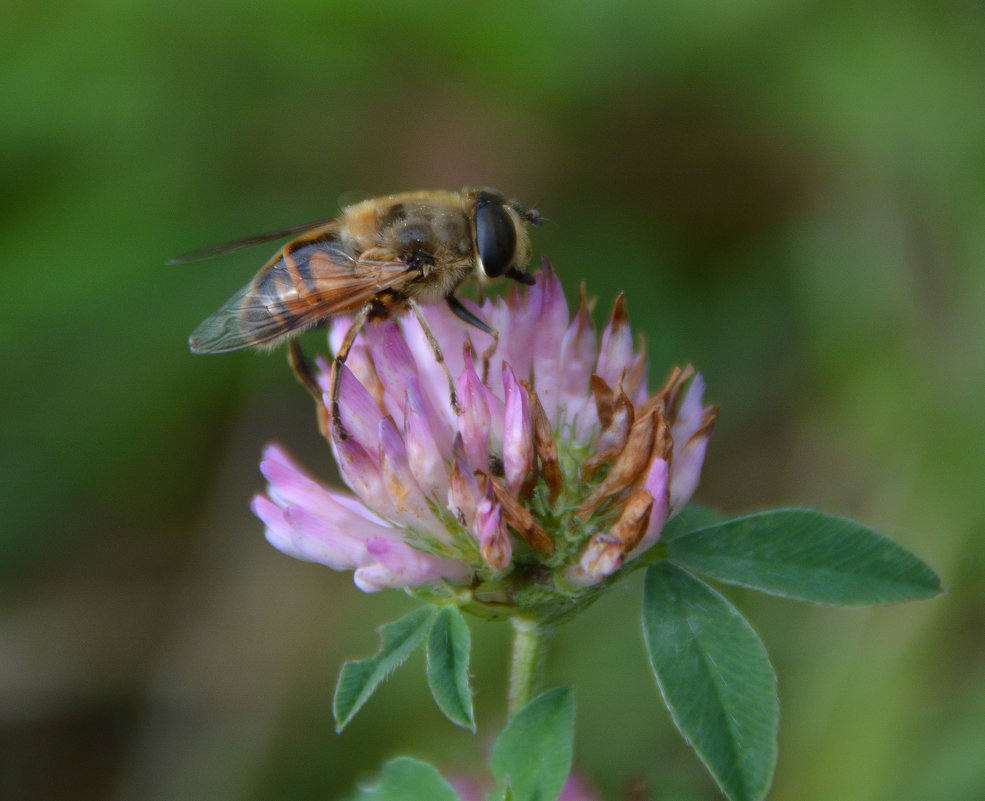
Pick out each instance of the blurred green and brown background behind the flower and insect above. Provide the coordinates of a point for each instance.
(792, 195)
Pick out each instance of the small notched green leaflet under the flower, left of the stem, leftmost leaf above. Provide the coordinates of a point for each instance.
(358, 680)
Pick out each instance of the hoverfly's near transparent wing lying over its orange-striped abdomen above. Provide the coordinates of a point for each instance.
(298, 289)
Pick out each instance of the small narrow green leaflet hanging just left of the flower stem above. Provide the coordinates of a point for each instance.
(449, 647)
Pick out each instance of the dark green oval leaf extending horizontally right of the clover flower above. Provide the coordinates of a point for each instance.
(808, 556)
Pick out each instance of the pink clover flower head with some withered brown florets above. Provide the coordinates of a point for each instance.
(558, 469)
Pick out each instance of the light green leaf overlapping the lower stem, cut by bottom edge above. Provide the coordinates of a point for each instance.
(533, 754)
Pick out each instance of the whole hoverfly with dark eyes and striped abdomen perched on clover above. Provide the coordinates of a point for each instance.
(379, 258)
